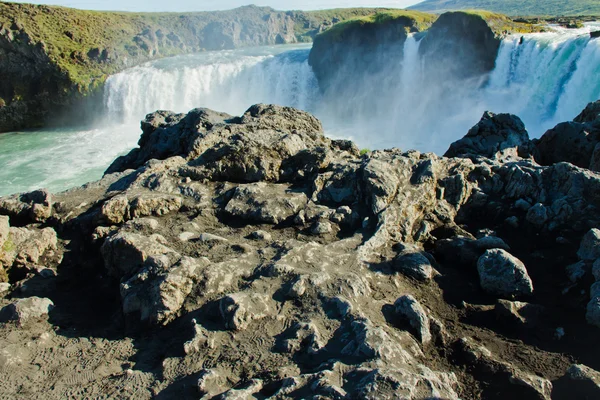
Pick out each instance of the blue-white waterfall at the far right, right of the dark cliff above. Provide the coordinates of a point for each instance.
(545, 78)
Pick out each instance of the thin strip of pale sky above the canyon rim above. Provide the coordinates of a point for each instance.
(210, 5)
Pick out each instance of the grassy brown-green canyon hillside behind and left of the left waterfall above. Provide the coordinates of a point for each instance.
(51, 56)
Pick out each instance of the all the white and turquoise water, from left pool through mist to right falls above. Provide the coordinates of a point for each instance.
(544, 78)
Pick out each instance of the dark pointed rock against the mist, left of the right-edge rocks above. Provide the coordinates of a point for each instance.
(495, 136)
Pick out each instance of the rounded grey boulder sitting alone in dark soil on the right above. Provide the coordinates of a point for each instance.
(502, 274)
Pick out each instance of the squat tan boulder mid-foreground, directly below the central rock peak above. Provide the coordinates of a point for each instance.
(264, 203)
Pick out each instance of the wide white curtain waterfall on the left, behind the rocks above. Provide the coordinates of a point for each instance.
(229, 81)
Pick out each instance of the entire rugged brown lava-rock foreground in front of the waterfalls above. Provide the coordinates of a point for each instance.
(252, 257)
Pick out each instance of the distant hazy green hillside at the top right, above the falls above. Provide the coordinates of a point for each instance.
(515, 7)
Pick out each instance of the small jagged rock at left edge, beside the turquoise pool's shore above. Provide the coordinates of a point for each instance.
(34, 206)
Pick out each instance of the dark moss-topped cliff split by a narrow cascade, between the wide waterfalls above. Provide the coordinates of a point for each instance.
(457, 45)
